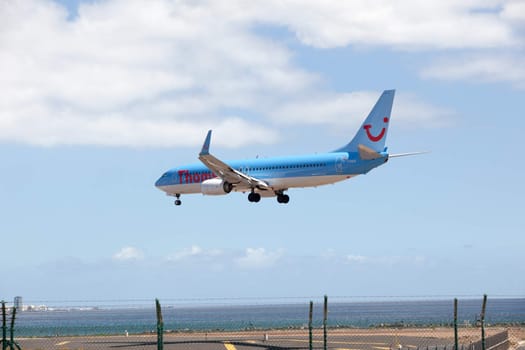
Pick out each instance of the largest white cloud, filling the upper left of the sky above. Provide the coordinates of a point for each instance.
(135, 73)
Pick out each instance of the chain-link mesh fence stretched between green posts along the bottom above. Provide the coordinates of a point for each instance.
(248, 324)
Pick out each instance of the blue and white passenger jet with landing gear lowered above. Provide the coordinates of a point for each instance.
(272, 177)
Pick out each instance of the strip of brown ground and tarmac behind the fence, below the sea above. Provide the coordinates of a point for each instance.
(378, 339)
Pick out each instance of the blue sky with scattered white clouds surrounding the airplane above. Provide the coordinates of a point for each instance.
(99, 98)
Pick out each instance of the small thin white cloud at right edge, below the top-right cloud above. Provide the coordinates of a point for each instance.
(480, 67)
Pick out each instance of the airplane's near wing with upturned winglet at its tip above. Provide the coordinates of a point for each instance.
(226, 172)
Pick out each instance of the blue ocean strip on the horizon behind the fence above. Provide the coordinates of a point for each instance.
(111, 320)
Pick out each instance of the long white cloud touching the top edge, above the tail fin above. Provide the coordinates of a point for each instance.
(408, 24)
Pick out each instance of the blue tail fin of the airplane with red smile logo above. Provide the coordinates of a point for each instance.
(371, 136)
